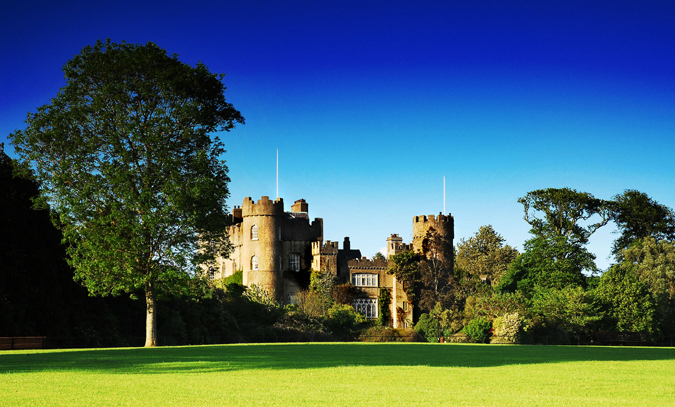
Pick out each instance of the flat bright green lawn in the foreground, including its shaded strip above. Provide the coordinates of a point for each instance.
(340, 374)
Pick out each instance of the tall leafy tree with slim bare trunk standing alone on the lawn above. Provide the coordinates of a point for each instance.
(125, 157)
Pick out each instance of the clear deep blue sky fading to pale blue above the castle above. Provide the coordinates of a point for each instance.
(371, 103)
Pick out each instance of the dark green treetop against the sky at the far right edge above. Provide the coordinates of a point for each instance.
(637, 216)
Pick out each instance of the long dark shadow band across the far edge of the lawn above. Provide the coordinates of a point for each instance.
(223, 358)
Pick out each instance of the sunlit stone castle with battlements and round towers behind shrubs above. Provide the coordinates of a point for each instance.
(269, 242)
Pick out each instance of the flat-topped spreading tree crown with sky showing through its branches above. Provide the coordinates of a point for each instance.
(563, 209)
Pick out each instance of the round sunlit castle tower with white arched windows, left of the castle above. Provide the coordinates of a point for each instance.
(261, 254)
